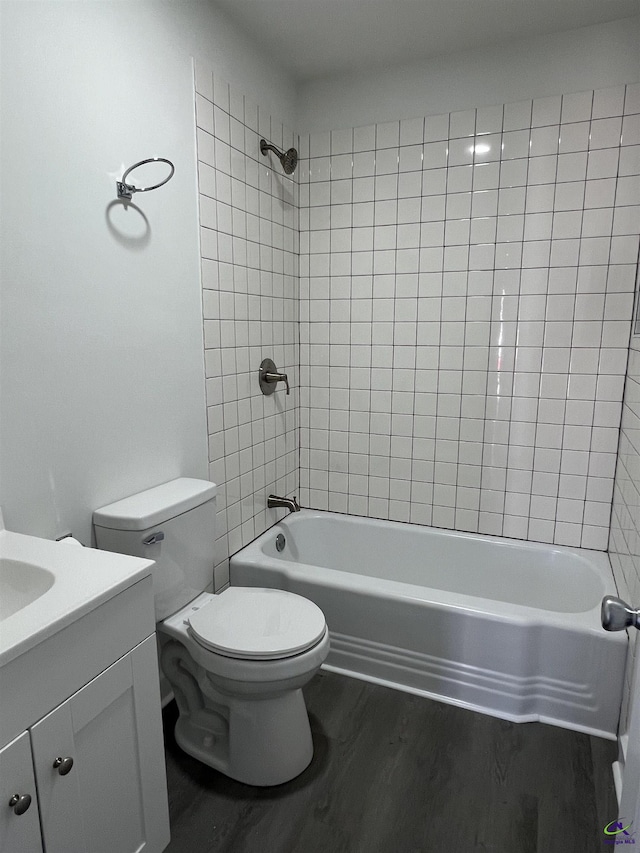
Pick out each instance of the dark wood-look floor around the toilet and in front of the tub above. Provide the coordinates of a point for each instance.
(396, 773)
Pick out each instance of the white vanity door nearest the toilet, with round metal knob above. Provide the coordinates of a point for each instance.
(114, 797)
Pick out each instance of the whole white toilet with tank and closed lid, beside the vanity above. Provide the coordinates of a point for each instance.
(236, 661)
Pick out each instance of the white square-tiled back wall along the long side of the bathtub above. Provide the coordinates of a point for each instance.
(465, 305)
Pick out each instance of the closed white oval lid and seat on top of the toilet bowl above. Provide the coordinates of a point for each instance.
(258, 624)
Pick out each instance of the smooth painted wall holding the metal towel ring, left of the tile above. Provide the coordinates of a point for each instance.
(101, 349)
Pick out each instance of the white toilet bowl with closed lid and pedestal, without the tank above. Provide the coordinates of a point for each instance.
(246, 715)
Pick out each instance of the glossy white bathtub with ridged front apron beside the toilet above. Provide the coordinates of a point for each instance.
(500, 626)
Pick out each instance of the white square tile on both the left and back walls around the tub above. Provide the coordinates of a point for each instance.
(465, 302)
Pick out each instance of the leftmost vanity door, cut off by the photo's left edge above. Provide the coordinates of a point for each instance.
(19, 833)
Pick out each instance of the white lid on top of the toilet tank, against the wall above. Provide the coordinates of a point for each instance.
(154, 506)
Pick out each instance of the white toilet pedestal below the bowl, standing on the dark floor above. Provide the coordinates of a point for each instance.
(259, 739)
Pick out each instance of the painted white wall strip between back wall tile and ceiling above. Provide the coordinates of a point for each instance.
(588, 58)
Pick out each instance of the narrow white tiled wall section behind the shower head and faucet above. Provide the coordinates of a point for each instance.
(249, 240)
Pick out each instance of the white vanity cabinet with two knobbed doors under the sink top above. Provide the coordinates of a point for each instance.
(81, 727)
